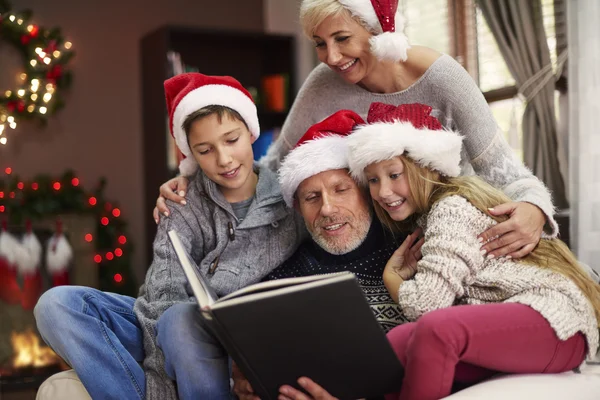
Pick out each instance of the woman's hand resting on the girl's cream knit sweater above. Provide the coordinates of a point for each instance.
(518, 235)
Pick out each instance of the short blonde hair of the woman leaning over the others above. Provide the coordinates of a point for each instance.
(314, 12)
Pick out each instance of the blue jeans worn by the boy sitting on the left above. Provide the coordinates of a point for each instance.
(98, 335)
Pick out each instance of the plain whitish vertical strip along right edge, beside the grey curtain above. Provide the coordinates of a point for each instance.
(584, 143)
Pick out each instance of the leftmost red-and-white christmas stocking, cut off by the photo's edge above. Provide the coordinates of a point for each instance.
(10, 292)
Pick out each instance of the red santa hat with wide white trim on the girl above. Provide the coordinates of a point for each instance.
(407, 130)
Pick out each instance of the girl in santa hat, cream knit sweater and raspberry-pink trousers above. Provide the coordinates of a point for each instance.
(475, 315)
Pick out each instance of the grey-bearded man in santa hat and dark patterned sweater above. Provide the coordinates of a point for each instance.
(345, 235)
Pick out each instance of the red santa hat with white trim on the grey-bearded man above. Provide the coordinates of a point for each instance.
(322, 148)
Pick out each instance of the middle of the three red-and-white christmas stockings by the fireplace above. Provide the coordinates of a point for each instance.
(28, 264)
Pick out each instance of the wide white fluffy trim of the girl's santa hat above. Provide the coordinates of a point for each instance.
(436, 149)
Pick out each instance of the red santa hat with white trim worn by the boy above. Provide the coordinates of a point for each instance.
(188, 93)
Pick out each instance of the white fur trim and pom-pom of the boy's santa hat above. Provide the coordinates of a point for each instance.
(221, 95)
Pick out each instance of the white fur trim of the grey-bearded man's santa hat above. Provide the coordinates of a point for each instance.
(309, 159)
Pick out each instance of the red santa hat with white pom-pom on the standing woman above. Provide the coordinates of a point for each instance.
(386, 21)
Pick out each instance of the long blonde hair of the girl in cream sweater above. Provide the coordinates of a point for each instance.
(428, 187)
